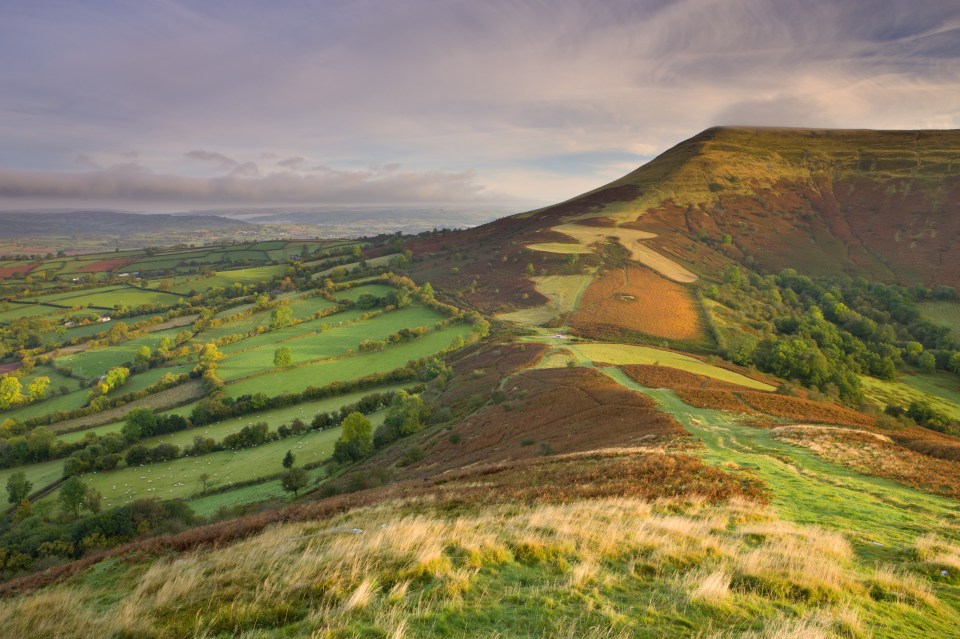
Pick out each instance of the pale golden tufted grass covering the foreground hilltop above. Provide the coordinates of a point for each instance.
(407, 571)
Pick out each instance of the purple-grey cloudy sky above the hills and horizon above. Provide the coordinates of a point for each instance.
(509, 104)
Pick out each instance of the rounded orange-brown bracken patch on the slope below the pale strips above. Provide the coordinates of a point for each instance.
(636, 299)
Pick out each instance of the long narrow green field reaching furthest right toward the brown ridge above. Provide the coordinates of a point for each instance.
(296, 379)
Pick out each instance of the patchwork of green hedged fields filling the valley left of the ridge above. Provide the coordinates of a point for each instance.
(327, 332)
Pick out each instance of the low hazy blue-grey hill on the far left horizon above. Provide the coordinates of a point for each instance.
(49, 224)
